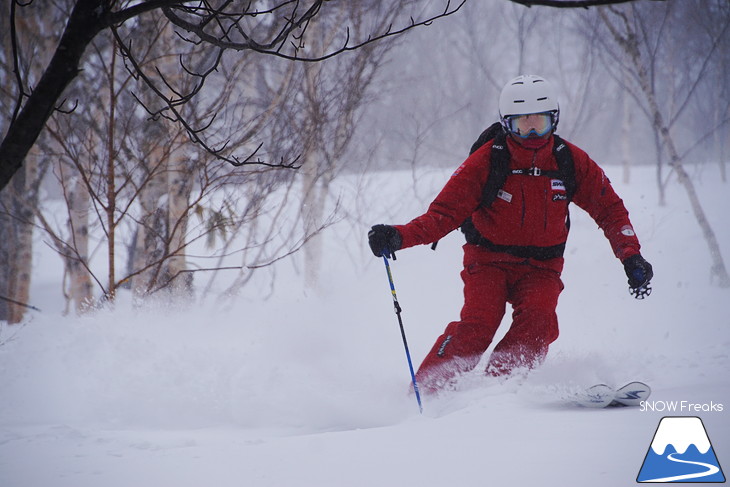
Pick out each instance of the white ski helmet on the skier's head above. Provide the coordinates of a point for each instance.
(528, 94)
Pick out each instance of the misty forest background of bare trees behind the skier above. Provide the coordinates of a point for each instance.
(170, 168)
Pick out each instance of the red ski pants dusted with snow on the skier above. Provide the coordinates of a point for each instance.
(533, 293)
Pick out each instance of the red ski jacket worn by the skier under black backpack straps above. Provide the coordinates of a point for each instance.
(529, 211)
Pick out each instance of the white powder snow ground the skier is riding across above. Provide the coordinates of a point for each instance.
(309, 388)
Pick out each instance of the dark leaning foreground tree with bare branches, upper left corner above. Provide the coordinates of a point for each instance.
(279, 30)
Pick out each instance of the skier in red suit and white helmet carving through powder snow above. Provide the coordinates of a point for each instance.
(516, 228)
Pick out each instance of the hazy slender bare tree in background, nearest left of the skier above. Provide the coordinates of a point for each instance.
(326, 113)
